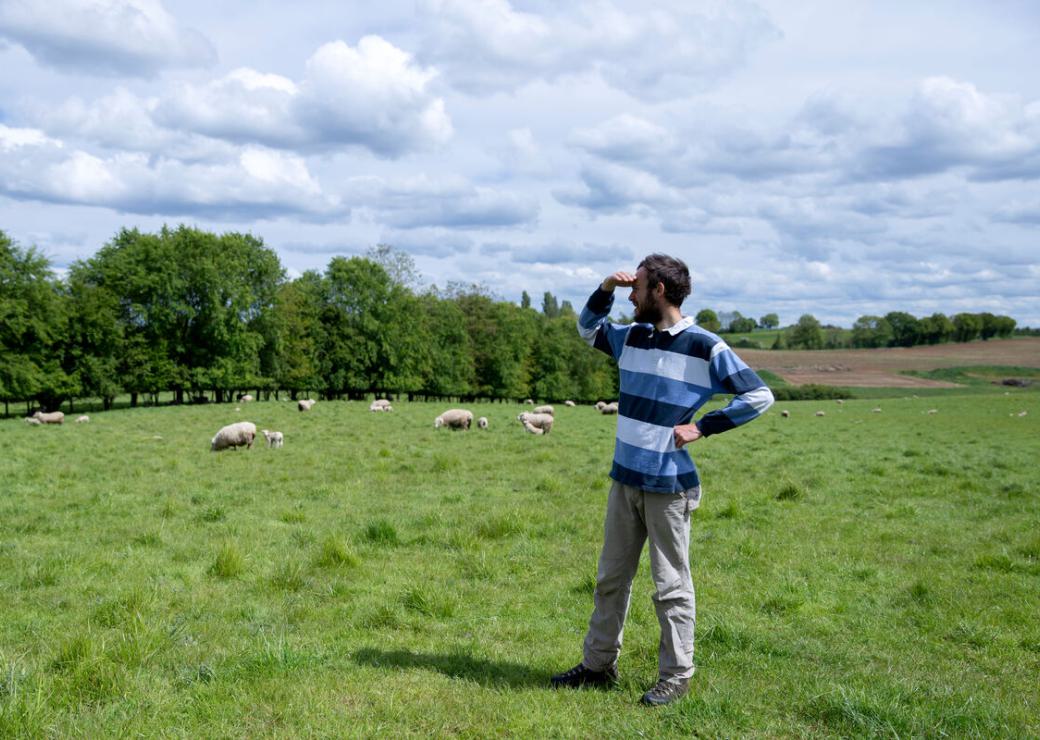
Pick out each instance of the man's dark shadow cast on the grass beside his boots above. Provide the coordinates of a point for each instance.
(456, 666)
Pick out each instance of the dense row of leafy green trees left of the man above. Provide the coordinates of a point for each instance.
(205, 318)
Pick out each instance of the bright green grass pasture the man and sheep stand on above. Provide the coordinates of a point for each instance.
(859, 574)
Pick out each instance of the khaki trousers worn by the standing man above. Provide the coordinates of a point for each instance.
(633, 517)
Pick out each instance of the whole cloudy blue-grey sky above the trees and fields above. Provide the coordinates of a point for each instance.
(834, 157)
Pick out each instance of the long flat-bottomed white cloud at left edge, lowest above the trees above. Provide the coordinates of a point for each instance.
(257, 183)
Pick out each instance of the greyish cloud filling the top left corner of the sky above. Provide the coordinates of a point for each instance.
(132, 38)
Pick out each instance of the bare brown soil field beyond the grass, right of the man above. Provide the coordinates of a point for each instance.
(880, 368)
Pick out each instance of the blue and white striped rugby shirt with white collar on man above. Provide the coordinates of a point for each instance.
(666, 377)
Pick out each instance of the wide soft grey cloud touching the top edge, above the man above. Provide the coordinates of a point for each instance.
(489, 46)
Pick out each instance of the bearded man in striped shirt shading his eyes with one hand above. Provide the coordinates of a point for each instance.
(670, 368)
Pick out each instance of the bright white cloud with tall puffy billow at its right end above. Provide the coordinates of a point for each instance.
(372, 96)
